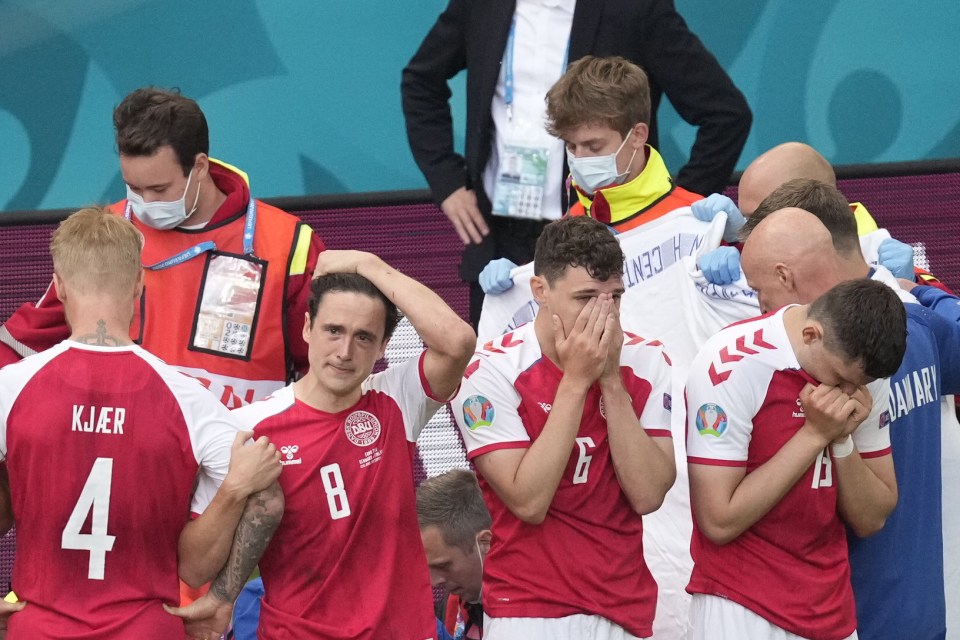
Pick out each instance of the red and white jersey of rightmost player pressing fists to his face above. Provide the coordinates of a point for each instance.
(743, 405)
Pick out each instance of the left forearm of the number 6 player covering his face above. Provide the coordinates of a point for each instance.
(537, 477)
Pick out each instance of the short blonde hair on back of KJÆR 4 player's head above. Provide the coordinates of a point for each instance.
(95, 251)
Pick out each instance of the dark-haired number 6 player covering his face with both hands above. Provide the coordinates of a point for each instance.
(568, 422)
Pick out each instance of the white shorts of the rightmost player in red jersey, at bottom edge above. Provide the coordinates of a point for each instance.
(716, 618)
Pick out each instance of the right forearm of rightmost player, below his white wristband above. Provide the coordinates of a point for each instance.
(866, 492)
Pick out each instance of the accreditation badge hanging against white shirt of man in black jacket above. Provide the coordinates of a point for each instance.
(521, 176)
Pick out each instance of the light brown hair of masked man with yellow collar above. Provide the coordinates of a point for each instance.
(611, 92)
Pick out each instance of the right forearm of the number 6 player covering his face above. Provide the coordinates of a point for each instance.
(645, 470)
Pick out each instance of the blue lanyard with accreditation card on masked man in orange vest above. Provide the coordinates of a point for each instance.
(230, 295)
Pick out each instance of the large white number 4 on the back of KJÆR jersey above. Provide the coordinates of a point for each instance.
(95, 496)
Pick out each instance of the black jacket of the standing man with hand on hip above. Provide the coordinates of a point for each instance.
(472, 35)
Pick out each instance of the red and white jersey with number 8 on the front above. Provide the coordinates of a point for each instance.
(347, 561)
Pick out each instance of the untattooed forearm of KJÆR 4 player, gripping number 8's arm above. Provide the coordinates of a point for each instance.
(205, 541)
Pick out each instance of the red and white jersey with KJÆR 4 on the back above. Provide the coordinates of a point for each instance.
(102, 446)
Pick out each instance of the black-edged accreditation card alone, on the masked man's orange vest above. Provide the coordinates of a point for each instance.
(229, 304)
